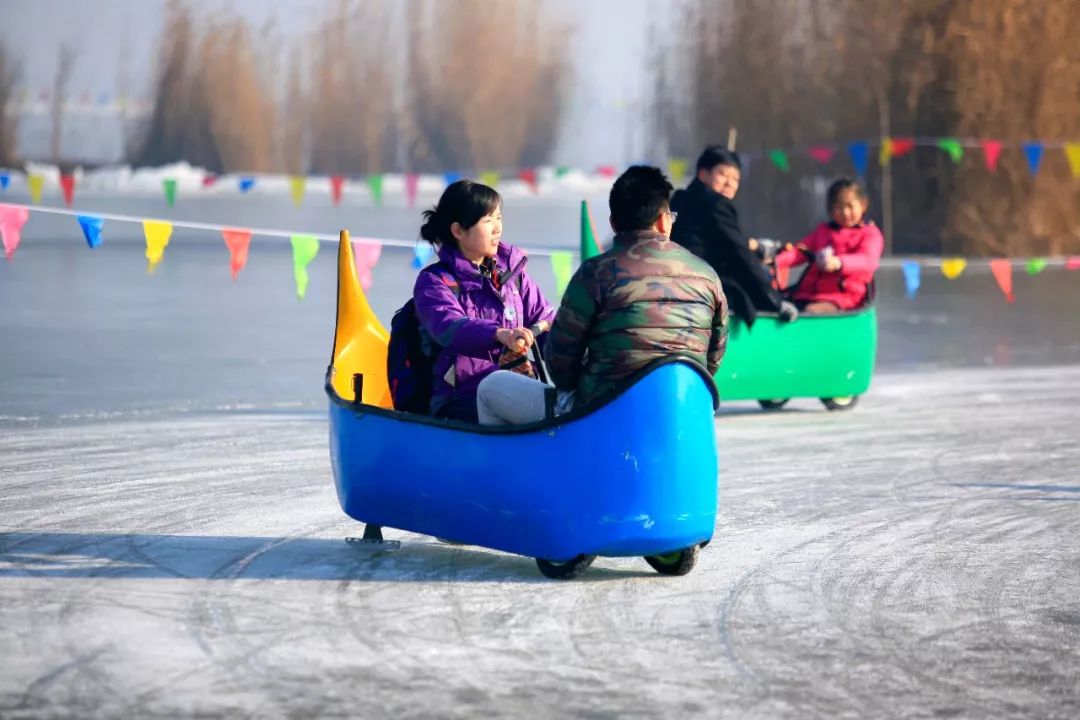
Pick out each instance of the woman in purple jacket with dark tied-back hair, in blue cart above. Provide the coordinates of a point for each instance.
(478, 301)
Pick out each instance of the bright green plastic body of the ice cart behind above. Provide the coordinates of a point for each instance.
(815, 357)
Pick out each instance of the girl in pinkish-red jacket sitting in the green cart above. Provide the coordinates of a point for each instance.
(845, 254)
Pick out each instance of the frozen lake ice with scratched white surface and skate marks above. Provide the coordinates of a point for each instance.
(171, 545)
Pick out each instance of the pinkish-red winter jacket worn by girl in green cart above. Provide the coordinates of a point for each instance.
(859, 250)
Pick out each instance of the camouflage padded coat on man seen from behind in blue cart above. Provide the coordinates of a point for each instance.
(645, 298)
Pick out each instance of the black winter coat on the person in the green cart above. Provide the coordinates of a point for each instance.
(708, 226)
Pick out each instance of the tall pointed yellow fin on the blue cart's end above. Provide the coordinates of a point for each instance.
(360, 341)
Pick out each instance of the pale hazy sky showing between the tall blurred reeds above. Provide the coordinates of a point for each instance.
(611, 50)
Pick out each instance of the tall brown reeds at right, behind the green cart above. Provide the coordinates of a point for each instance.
(790, 74)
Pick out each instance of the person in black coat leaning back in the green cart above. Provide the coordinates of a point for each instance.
(708, 226)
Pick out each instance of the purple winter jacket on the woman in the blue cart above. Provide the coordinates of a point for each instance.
(464, 324)
